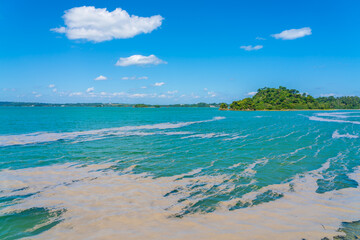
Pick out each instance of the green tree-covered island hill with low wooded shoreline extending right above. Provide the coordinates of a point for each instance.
(282, 98)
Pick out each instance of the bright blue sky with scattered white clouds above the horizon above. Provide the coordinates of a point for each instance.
(176, 51)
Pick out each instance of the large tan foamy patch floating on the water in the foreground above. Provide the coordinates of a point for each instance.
(109, 205)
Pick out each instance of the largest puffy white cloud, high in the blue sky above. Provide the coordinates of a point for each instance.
(98, 24)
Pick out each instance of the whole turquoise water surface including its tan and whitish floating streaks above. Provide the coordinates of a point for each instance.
(175, 173)
